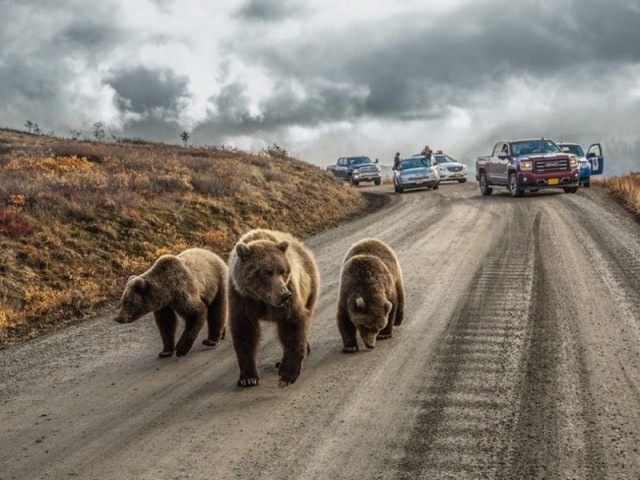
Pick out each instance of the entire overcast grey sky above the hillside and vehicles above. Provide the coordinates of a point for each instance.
(325, 78)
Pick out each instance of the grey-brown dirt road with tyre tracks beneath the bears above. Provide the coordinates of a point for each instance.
(519, 357)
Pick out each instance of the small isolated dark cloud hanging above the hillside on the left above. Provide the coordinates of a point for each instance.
(143, 90)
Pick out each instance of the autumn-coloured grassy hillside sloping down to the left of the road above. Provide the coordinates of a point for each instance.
(77, 218)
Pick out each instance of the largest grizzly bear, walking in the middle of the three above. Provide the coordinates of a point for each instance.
(272, 277)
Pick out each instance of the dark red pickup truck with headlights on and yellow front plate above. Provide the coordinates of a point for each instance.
(527, 165)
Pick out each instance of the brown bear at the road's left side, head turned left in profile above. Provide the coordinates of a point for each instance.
(192, 284)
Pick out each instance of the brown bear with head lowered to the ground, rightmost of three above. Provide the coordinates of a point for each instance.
(371, 294)
